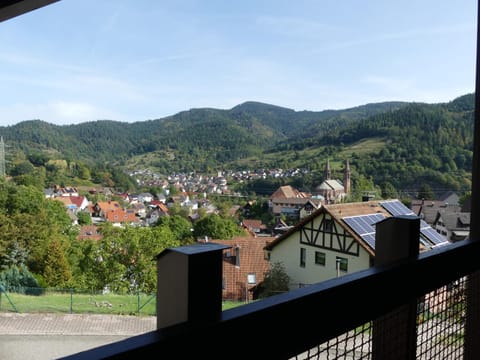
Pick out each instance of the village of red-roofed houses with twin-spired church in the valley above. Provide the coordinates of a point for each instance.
(316, 236)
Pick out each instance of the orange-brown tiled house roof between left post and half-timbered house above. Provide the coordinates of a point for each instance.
(244, 266)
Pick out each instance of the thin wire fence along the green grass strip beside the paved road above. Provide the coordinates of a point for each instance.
(49, 300)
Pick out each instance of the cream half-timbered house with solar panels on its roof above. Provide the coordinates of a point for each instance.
(338, 239)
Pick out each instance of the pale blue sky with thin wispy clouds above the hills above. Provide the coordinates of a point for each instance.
(77, 61)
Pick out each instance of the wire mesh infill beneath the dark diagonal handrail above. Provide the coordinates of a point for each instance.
(438, 330)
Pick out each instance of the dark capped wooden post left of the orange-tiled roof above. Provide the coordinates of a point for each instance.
(189, 284)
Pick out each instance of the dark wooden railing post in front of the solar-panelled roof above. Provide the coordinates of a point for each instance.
(395, 334)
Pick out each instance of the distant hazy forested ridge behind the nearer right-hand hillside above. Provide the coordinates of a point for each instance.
(245, 130)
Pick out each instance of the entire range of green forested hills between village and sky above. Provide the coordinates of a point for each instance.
(413, 143)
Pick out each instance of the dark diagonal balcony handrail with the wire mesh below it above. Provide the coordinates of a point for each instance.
(365, 315)
